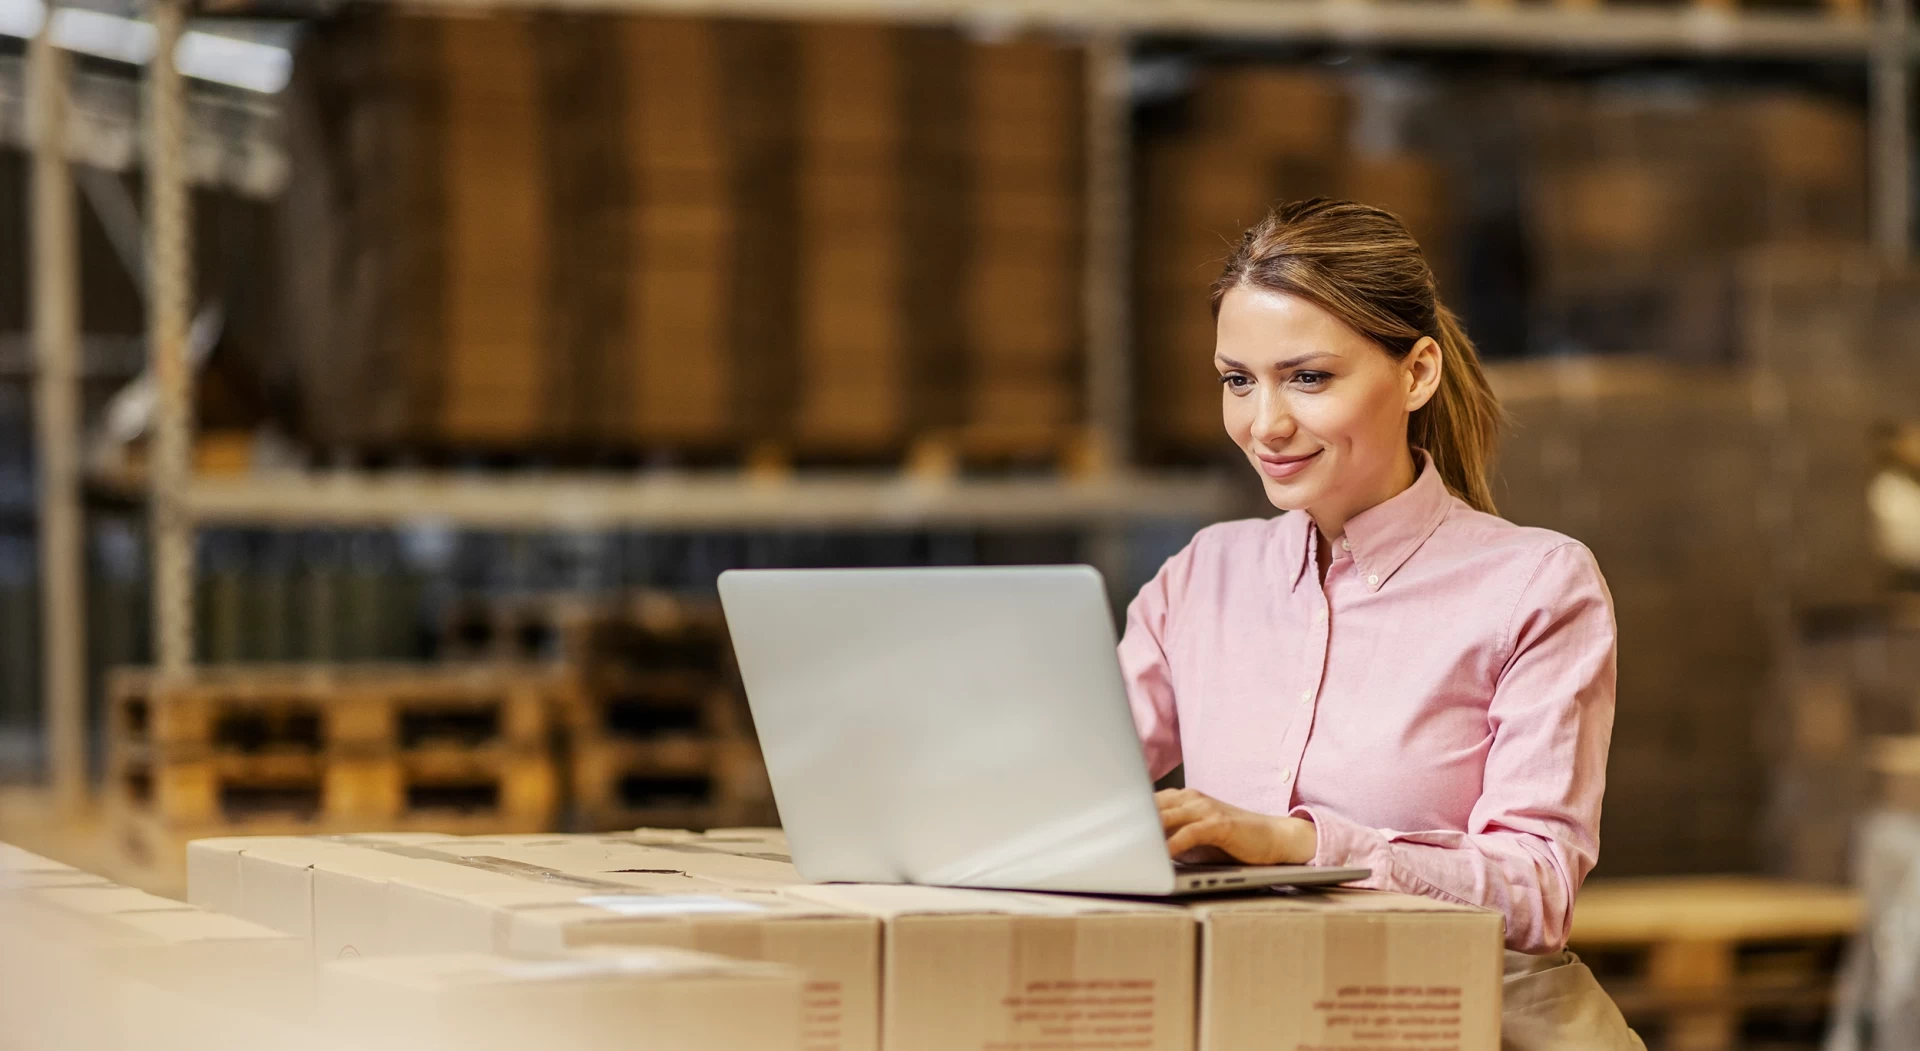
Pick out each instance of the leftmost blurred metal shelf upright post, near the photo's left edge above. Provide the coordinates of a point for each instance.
(57, 337)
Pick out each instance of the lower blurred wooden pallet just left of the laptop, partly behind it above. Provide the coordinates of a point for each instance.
(686, 783)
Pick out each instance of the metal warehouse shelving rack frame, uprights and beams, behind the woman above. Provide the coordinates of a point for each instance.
(1105, 499)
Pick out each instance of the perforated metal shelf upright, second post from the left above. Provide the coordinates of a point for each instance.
(170, 306)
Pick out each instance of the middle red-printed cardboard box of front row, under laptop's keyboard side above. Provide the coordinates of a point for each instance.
(1001, 971)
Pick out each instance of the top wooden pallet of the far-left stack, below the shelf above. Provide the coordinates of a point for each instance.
(325, 710)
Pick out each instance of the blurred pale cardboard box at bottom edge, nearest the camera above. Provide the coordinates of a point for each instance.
(658, 1000)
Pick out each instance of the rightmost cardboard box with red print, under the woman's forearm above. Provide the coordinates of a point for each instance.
(1349, 969)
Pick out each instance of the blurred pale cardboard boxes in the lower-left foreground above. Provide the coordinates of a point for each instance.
(89, 964)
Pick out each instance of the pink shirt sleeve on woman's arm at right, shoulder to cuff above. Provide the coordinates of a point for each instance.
(1535, 833)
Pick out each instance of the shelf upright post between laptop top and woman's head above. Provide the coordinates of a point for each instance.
(1109, 237)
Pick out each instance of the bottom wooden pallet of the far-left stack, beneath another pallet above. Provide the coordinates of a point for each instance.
(498, 787)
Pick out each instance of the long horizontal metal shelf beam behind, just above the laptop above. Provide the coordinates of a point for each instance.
(537, 502)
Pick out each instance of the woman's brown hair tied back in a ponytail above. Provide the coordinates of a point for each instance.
(1362, 266)
